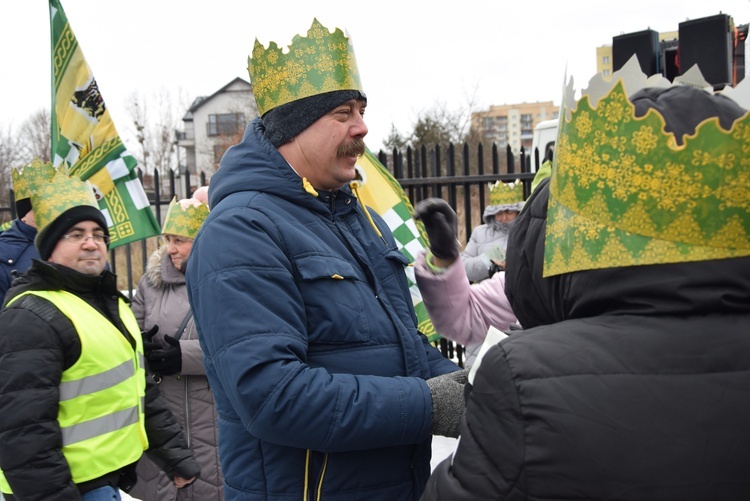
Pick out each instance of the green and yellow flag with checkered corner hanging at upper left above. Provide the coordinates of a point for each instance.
(84, 136)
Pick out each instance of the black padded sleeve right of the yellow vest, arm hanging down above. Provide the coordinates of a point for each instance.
(167, 445)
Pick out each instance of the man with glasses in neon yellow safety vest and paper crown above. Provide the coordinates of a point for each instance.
(76, 408)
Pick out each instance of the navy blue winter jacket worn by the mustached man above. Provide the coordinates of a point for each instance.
(309, 338)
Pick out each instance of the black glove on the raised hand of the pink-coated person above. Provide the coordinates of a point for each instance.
(440, 222)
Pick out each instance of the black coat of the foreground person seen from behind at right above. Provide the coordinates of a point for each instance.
(632, 383)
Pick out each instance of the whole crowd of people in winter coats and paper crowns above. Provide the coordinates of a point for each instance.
(271, 350)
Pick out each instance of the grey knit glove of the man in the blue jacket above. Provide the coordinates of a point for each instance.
(447, 393)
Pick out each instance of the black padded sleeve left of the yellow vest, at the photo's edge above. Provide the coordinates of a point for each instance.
(32, 359)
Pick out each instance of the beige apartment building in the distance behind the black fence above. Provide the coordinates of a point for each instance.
(512, 124)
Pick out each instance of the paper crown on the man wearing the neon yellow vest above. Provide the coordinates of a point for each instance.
(59, 194)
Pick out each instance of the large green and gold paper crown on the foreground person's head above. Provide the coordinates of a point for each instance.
(623, 193)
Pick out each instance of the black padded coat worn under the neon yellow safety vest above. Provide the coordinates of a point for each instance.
(37, 344)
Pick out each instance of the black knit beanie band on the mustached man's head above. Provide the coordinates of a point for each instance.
(285, 122)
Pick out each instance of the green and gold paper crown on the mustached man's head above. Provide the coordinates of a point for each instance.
(321, 62)
